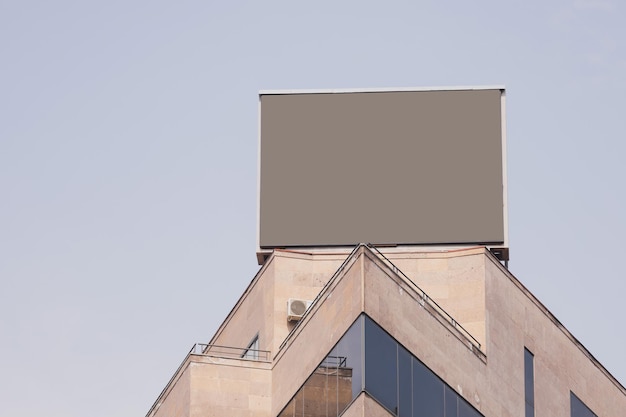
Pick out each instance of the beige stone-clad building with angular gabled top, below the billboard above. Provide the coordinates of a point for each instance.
(406, 332)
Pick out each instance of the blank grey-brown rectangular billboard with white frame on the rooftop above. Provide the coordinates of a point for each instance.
(386, 167)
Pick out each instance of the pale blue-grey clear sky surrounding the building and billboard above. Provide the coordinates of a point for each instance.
(128, 167)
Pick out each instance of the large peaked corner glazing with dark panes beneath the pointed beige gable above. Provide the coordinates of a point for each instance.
(392, 376)
